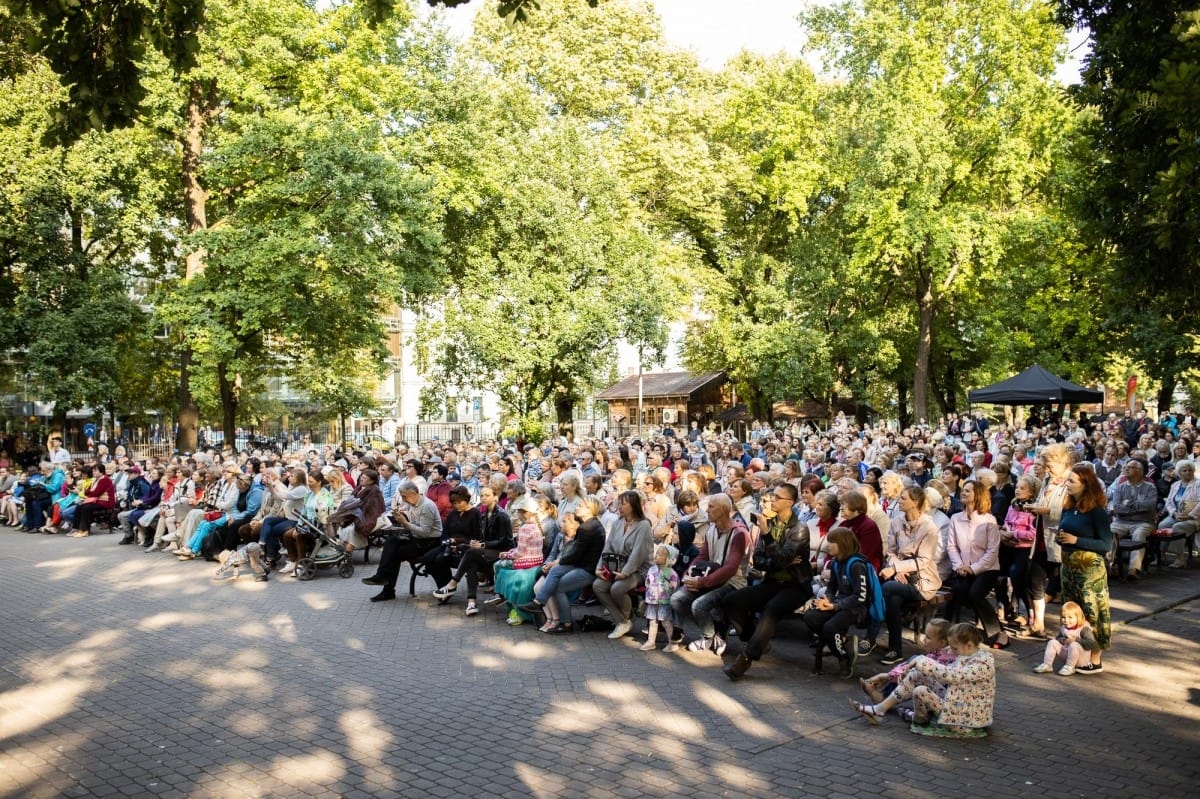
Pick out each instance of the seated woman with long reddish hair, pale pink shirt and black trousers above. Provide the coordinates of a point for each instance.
(974, 549)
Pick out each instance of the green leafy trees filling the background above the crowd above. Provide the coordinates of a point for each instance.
(928, 213)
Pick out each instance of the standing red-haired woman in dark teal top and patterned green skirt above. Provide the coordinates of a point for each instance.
(1087, 537)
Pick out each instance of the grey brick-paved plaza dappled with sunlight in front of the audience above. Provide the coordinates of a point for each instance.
(130, 675)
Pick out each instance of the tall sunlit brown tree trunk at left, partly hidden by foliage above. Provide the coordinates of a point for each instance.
(201, 103)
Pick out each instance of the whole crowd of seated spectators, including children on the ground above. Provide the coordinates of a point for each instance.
(706, 537)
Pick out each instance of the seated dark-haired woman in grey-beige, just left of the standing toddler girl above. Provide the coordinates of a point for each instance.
(623, 564)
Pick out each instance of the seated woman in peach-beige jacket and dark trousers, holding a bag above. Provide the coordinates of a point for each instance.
(910, 570)
